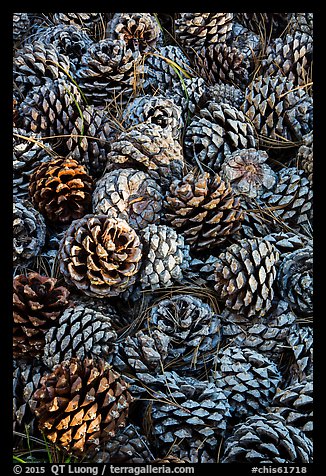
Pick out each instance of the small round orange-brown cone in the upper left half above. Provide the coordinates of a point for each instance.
(61, 190)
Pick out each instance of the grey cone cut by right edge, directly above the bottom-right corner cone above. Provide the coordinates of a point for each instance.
(295, 404)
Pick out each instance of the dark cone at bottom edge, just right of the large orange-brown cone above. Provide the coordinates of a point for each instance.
(129, 446)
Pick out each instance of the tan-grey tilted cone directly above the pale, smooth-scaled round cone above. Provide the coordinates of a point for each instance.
(149, 148)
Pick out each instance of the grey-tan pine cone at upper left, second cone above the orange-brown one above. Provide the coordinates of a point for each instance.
(51, 109)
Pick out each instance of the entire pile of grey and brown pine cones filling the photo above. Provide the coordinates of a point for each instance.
(162, 289)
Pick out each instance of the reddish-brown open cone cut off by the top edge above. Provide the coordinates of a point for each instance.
(140, 31)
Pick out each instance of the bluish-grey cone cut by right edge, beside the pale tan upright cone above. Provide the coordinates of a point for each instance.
(295, 280)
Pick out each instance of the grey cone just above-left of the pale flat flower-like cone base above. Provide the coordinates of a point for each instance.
(218, 130)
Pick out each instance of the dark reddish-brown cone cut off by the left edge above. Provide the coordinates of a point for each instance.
(38, 303)
